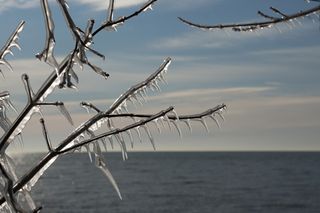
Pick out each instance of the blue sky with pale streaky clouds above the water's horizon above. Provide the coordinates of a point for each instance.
(269, 79)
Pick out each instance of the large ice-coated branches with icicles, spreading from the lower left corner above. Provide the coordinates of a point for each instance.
(86, 134)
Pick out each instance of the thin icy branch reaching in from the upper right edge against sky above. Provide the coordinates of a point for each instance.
(251, 26)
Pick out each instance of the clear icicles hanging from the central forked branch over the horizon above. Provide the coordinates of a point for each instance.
(136, 94)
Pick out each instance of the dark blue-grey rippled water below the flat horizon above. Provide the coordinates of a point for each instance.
(184, 182)
